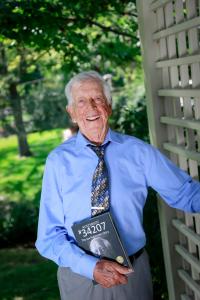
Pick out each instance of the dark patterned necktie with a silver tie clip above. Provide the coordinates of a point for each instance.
(100, 183)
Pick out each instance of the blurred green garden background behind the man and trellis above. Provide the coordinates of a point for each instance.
(43, 44)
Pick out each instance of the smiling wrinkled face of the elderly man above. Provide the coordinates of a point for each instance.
(90, 110)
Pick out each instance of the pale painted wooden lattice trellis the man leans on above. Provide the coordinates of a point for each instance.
(170, 40)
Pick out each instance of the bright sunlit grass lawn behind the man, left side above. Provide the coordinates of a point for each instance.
(20, 178)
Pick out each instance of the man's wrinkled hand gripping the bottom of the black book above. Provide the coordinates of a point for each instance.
(108, 273)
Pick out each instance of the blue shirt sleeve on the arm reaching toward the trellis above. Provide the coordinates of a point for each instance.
(174, 185)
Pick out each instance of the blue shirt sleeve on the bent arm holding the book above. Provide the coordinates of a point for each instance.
(53, 241)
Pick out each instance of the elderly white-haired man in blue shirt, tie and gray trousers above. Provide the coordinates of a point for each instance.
(122, 168)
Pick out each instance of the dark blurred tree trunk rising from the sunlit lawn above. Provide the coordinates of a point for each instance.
(19, 125)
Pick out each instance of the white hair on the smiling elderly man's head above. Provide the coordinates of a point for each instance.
(85, 76)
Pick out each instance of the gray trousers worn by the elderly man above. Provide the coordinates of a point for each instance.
(76, 287)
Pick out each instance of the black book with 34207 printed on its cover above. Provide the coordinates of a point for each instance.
(98, 236)
